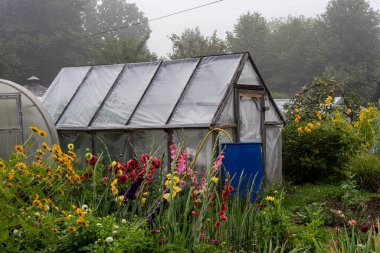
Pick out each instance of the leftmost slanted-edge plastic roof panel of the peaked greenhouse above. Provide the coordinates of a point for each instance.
(62, 89)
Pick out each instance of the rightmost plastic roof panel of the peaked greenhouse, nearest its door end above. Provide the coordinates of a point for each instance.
(206, 90)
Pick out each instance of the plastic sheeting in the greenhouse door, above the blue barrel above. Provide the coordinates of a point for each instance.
(250, 119)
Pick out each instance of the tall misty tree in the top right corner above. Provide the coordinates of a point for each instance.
(350, 41)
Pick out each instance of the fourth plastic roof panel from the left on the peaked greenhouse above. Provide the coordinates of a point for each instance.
(163, 94)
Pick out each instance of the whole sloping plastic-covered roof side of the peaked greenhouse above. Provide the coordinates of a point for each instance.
(164, 94)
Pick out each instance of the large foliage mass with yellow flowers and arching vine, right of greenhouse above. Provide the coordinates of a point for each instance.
(321, 135)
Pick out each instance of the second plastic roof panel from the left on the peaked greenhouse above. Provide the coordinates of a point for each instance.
(90, 96)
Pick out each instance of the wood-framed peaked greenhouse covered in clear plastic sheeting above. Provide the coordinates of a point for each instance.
(139, 108)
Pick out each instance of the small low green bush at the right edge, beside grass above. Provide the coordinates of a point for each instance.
(366, 167)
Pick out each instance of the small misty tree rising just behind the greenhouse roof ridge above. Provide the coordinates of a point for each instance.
(193, 43)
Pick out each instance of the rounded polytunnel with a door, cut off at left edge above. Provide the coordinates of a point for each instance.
(19, 110)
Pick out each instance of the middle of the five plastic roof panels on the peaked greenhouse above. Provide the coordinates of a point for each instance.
(123, 99)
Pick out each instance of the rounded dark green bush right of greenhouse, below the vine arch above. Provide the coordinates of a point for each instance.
(319, 154)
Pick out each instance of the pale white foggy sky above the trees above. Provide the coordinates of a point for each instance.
(220, 16)
